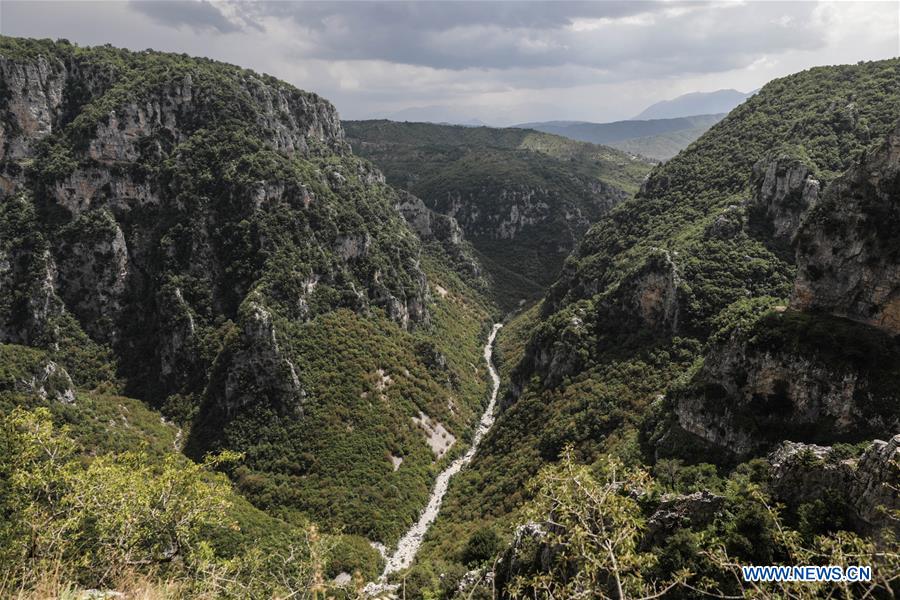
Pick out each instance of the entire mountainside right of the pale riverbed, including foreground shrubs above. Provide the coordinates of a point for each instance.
(715, 345)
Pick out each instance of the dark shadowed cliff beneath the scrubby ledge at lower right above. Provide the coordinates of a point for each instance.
(756, 390)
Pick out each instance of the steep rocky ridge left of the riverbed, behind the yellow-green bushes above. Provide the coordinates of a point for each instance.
(201, 237)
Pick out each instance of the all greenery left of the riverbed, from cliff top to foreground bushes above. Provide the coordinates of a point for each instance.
(251, 281)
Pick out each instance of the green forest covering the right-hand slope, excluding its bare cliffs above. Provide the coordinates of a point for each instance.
(606, 364)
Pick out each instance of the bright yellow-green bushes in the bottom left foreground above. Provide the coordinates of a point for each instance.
(138, 522)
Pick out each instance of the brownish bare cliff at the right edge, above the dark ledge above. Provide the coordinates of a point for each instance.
(848, 251)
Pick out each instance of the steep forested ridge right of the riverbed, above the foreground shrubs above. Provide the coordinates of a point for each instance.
(666, 296)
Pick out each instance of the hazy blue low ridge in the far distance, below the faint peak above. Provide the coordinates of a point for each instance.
(658, 139)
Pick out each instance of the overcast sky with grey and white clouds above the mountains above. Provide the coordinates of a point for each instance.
(501, 62)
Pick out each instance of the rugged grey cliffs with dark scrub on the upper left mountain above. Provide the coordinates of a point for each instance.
(142, 203)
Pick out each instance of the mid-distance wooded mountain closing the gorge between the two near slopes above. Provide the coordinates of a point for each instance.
(523, 198)
